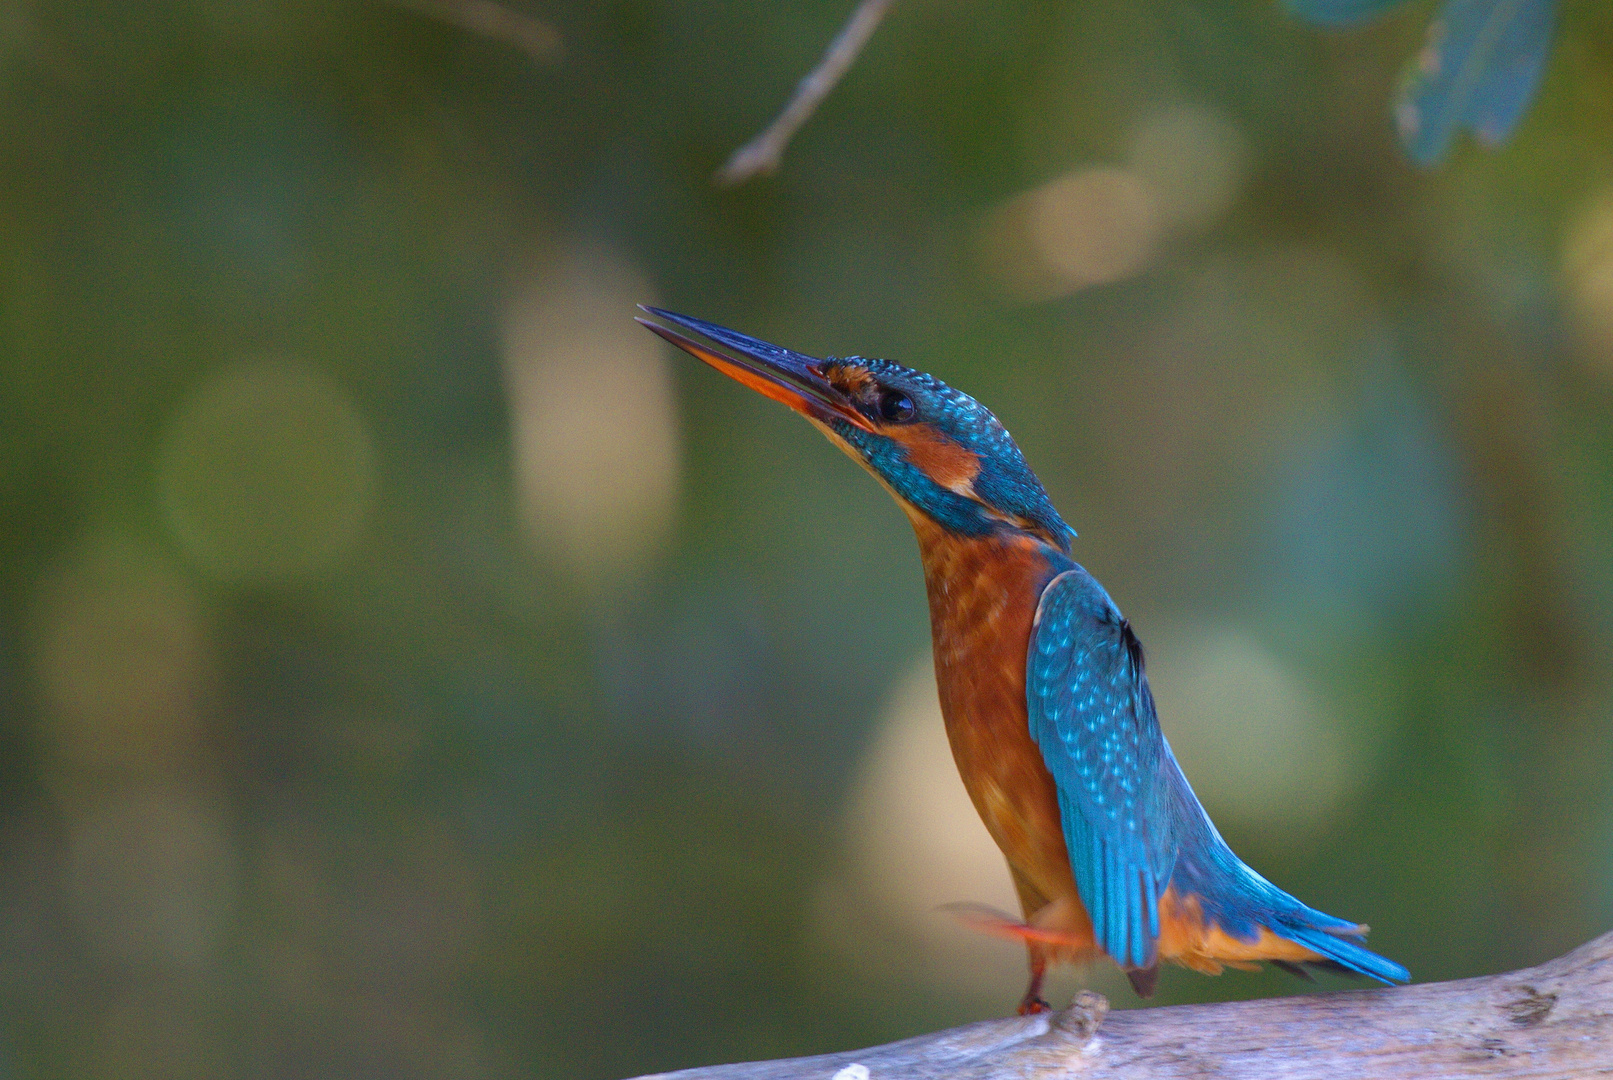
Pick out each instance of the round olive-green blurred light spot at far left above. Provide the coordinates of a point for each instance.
(267, 473)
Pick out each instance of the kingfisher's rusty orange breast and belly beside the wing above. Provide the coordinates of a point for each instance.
(983, 596)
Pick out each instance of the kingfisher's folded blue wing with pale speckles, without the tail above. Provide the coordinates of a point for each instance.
(1093, 717)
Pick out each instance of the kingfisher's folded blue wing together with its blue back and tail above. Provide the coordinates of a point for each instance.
(1132, 821)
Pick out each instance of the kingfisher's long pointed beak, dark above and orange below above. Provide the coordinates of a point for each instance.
(777, 373)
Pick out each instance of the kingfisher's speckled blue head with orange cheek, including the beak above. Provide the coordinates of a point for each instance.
(936, 449)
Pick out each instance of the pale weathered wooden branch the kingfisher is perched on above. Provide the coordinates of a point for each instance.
(1548, 1023)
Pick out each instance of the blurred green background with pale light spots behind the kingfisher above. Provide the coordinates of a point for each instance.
(411, 668)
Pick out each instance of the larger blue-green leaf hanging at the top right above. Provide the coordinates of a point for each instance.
(1480, 69)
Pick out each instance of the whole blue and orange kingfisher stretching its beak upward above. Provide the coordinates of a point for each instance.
(1044, 692)
